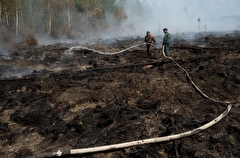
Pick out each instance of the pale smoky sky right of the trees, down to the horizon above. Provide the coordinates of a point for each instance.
(181, 15)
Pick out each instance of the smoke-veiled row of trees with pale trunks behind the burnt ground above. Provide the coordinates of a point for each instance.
(59, 17)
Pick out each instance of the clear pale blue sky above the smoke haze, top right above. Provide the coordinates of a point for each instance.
(204, 8)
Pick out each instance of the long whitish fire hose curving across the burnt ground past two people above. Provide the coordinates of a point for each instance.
(150, 140)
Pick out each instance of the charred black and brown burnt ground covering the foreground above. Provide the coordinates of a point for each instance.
(53, 99)
